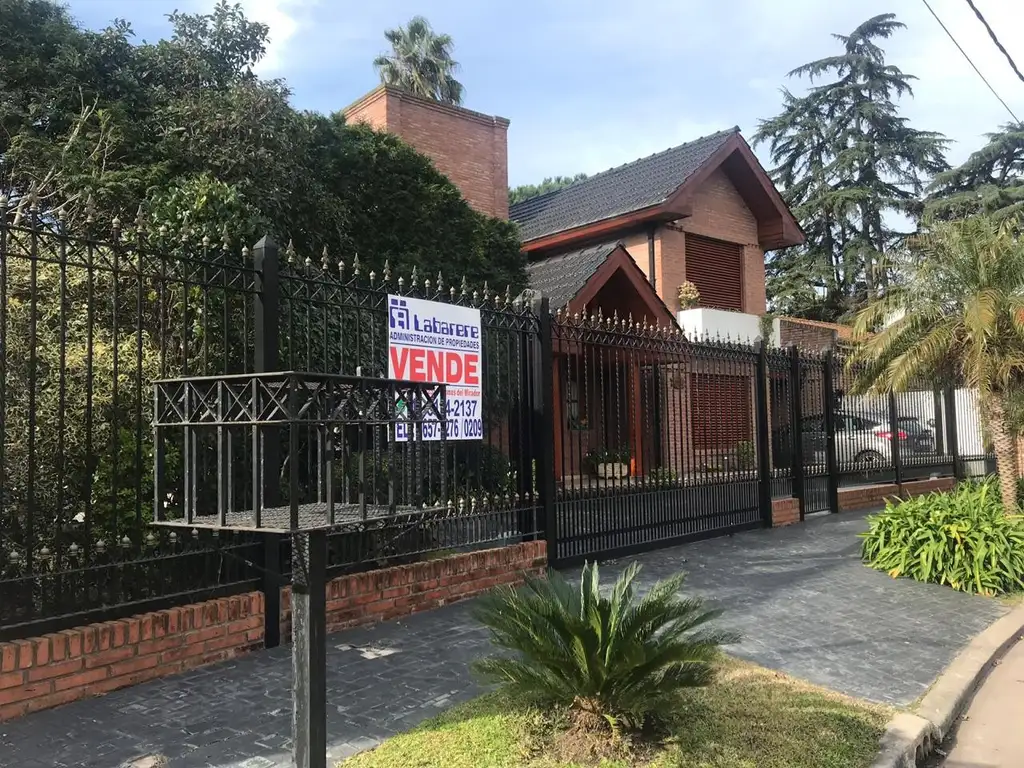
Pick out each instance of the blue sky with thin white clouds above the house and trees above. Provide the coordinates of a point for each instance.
(591, 84)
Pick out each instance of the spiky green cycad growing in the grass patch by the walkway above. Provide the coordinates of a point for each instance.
(616, 660)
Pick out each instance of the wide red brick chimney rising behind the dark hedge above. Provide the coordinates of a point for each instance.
(470, 148)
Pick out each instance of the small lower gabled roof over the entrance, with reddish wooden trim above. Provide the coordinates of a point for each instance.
(572, 280)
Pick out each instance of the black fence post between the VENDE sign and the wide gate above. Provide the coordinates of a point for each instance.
(544, 426)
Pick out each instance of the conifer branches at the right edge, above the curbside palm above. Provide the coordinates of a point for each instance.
(992, 181)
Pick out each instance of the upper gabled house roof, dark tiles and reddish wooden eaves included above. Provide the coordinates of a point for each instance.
(659, 188)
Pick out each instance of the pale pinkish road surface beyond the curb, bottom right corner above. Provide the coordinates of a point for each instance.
(991, 735)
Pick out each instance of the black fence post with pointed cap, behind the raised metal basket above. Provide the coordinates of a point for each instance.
(266, 360)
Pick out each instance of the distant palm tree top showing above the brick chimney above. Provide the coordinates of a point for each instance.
(421, 63)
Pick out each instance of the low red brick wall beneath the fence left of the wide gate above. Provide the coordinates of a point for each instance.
(44, 672)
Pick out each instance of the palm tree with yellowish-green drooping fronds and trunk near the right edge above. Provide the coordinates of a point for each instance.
(960, 314)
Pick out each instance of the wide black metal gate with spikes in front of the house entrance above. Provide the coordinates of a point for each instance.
(654, 438)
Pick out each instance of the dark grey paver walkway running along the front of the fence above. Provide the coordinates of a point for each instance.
(799, 595)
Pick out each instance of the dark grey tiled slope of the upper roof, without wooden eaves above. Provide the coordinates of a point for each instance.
(629, 188)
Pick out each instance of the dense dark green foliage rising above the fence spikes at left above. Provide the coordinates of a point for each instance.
(184, 126)
